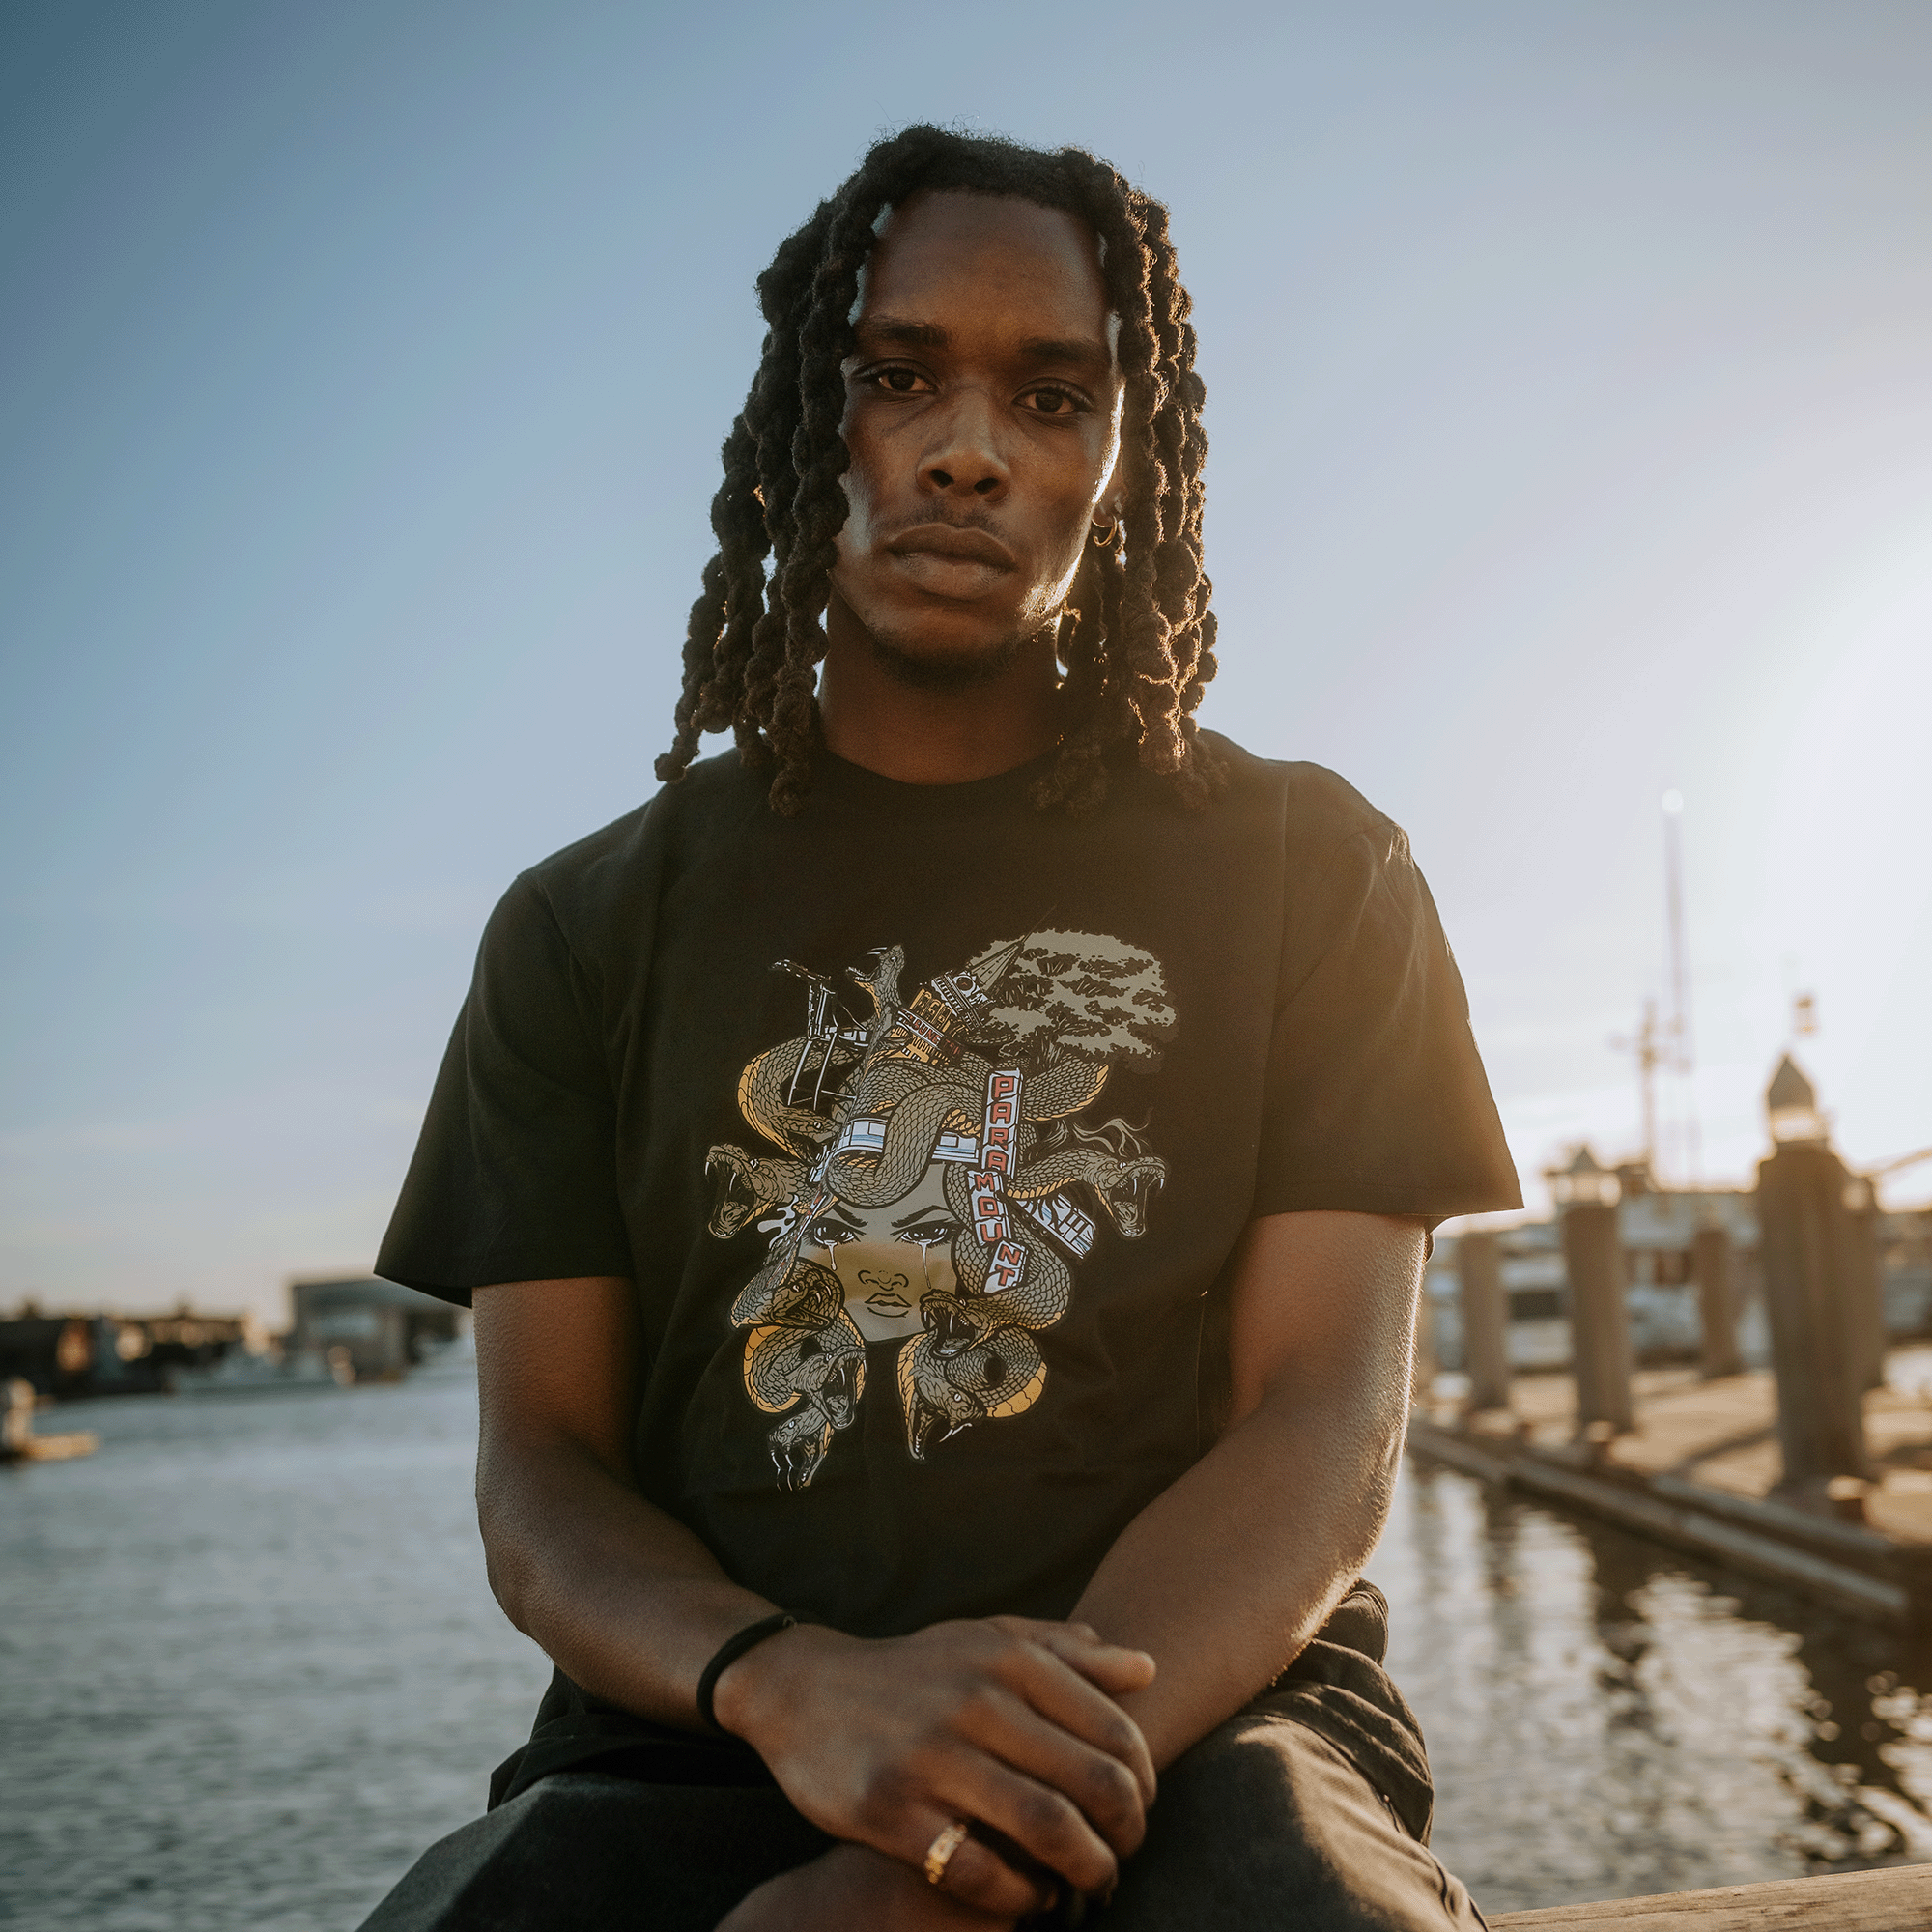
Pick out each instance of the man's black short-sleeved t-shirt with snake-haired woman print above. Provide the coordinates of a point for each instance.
(926, 1123)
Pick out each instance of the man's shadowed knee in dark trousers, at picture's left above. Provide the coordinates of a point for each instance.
(592, 1854)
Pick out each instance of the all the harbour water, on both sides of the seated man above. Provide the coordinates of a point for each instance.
(250, 1668)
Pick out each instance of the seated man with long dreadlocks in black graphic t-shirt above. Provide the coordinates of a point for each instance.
(944, 1187)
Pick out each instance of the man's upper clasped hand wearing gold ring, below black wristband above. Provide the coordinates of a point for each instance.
(1004, 1722)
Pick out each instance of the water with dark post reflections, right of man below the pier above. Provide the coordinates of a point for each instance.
(1610, 1719)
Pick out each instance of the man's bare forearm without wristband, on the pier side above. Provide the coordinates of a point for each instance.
(1228, 1576)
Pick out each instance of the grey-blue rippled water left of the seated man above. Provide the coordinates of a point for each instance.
(248, 1661)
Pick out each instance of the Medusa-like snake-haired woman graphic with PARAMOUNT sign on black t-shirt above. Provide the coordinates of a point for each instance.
(940, 1176)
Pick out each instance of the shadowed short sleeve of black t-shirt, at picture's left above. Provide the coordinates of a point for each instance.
(515, 1174)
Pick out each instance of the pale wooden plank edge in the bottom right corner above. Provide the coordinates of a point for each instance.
(1894, 1900)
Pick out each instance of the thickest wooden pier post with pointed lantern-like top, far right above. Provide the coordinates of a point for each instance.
(1819, 1340)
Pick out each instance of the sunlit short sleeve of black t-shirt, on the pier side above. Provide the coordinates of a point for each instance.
(1377, 1098)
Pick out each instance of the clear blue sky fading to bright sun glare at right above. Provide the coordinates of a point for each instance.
(362, 380)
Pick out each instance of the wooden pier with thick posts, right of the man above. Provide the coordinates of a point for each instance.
(1765, 1429)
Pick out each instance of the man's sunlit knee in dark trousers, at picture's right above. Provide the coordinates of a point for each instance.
(1268, 1825)
